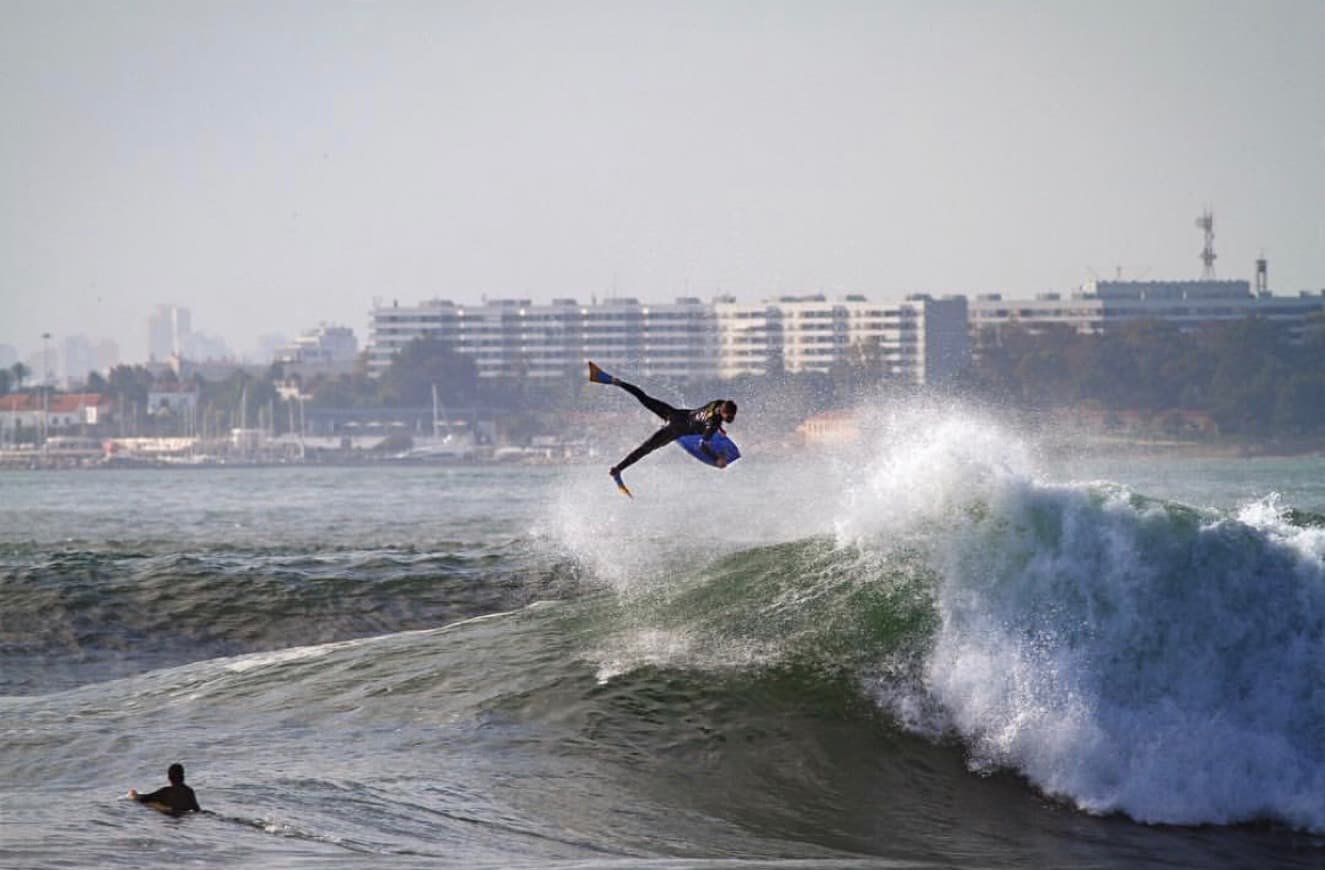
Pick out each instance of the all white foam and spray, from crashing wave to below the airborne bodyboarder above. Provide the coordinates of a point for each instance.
(1124, 653)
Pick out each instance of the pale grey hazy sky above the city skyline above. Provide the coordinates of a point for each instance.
(275, 165)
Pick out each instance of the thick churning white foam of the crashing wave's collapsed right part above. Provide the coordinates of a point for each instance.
(1127, 655)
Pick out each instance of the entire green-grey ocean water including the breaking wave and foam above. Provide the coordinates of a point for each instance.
(943, 650)
